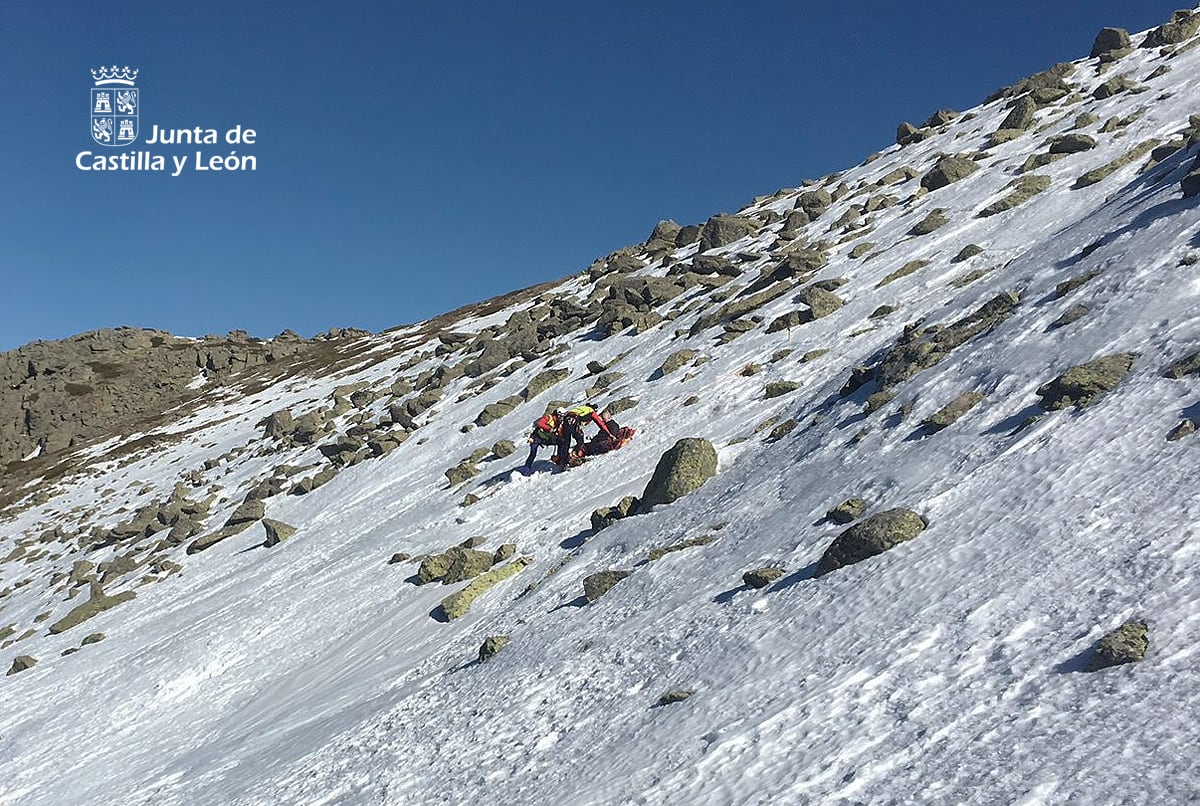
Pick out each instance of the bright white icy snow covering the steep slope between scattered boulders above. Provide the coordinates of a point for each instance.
(946, 671)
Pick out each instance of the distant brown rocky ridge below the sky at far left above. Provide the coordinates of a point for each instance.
(56, 395)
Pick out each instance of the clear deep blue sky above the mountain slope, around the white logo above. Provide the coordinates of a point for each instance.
(418, 158)
